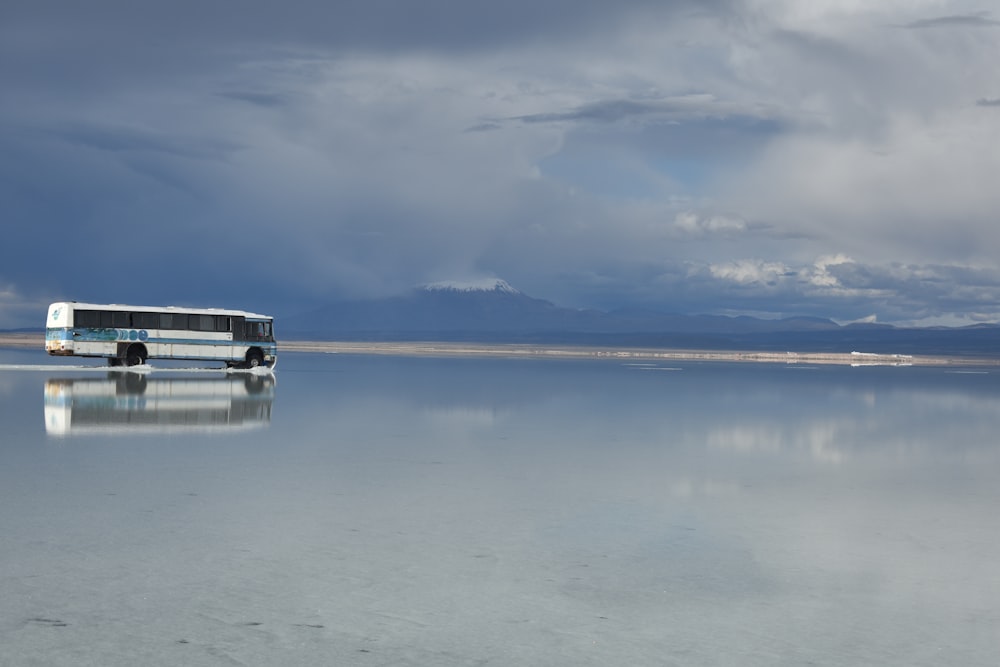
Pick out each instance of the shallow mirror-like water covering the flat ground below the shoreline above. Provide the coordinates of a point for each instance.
(395, 511)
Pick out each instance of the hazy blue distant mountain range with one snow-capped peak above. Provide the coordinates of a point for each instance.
(494, 311)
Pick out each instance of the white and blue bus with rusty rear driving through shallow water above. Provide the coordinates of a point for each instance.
(129, 335)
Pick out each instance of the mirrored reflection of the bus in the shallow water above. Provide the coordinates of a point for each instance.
(132, 403)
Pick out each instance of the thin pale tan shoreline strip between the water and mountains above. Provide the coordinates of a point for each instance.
(552, 351)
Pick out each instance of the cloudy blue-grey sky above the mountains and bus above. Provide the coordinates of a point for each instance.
(763, 157)
